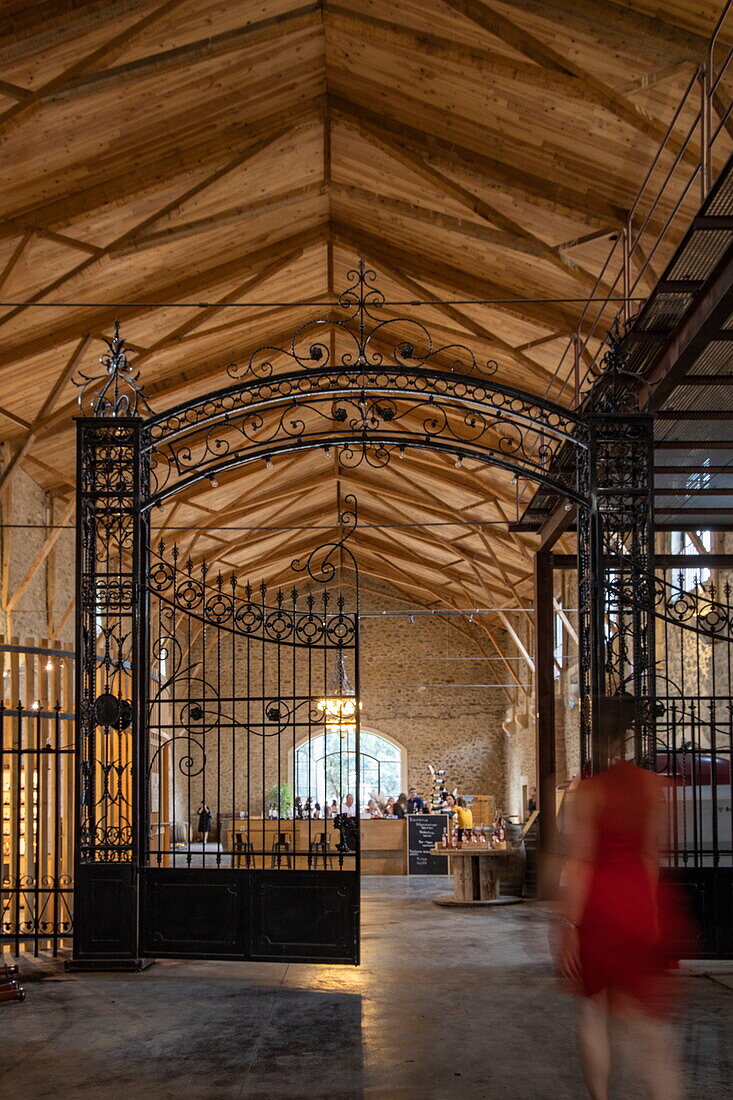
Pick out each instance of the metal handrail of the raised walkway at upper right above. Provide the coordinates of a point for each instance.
(658, 217)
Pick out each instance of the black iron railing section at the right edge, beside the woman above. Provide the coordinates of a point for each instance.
(695, 728)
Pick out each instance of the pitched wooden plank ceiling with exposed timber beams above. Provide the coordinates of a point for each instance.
(194, 151)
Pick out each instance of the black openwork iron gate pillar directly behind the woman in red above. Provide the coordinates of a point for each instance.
(616, 571)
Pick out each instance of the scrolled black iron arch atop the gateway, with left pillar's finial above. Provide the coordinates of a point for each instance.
(390, 390)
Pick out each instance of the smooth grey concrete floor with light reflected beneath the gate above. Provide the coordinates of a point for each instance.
(448, 1005)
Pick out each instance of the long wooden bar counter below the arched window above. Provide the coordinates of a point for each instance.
(384, 844)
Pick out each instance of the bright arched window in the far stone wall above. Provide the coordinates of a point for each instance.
(326, 767)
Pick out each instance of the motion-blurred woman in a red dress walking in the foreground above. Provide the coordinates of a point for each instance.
(616, 928)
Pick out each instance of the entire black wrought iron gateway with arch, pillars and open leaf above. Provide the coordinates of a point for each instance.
(206, 732)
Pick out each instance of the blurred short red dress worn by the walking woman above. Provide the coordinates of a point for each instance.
(622, 950)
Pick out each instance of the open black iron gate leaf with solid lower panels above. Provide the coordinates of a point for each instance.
(253, 844)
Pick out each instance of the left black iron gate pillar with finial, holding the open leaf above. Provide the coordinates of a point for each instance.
(111, 674)
